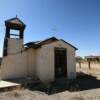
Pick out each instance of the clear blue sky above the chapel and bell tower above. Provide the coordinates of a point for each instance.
(76, 21)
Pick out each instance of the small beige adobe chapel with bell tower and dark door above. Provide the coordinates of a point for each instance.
(48, 59)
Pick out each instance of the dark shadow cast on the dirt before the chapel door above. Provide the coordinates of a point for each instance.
(83, 82)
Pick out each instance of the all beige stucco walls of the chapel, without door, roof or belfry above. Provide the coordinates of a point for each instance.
(39, 62)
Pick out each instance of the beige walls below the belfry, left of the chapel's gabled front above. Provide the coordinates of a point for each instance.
(18, 63)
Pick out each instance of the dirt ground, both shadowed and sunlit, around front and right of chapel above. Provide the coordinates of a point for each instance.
(85, 87)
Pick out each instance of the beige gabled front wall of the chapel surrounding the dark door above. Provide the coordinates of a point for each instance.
(45, 61)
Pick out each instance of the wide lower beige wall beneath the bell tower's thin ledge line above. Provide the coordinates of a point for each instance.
(13, 66)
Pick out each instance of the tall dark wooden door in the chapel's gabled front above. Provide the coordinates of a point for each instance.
(60, 62)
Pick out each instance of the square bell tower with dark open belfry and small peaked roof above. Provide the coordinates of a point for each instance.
(14, 35)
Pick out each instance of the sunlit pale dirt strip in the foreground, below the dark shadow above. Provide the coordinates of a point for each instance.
(37, 95)
